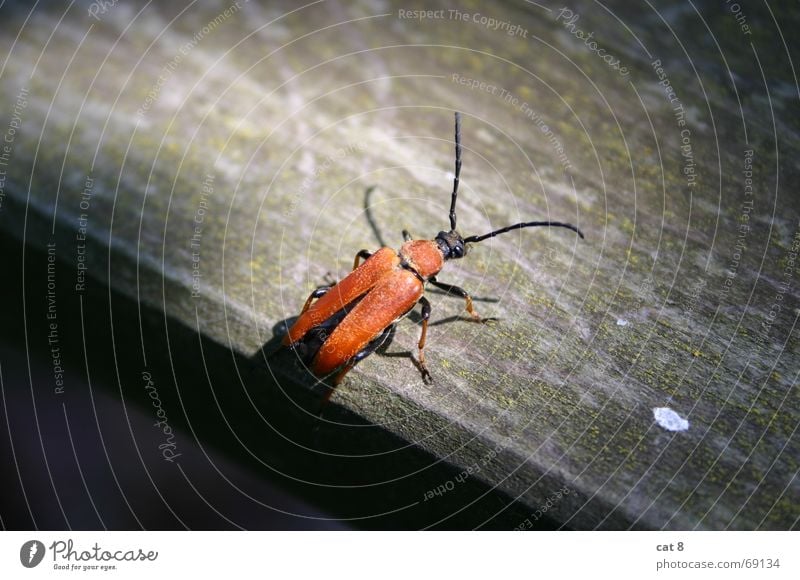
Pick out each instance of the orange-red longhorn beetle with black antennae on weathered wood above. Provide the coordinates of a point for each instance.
(343, 323)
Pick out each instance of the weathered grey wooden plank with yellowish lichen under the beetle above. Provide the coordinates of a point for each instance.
(226, 177)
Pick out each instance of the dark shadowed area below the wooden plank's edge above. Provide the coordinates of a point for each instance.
(252, 452)
